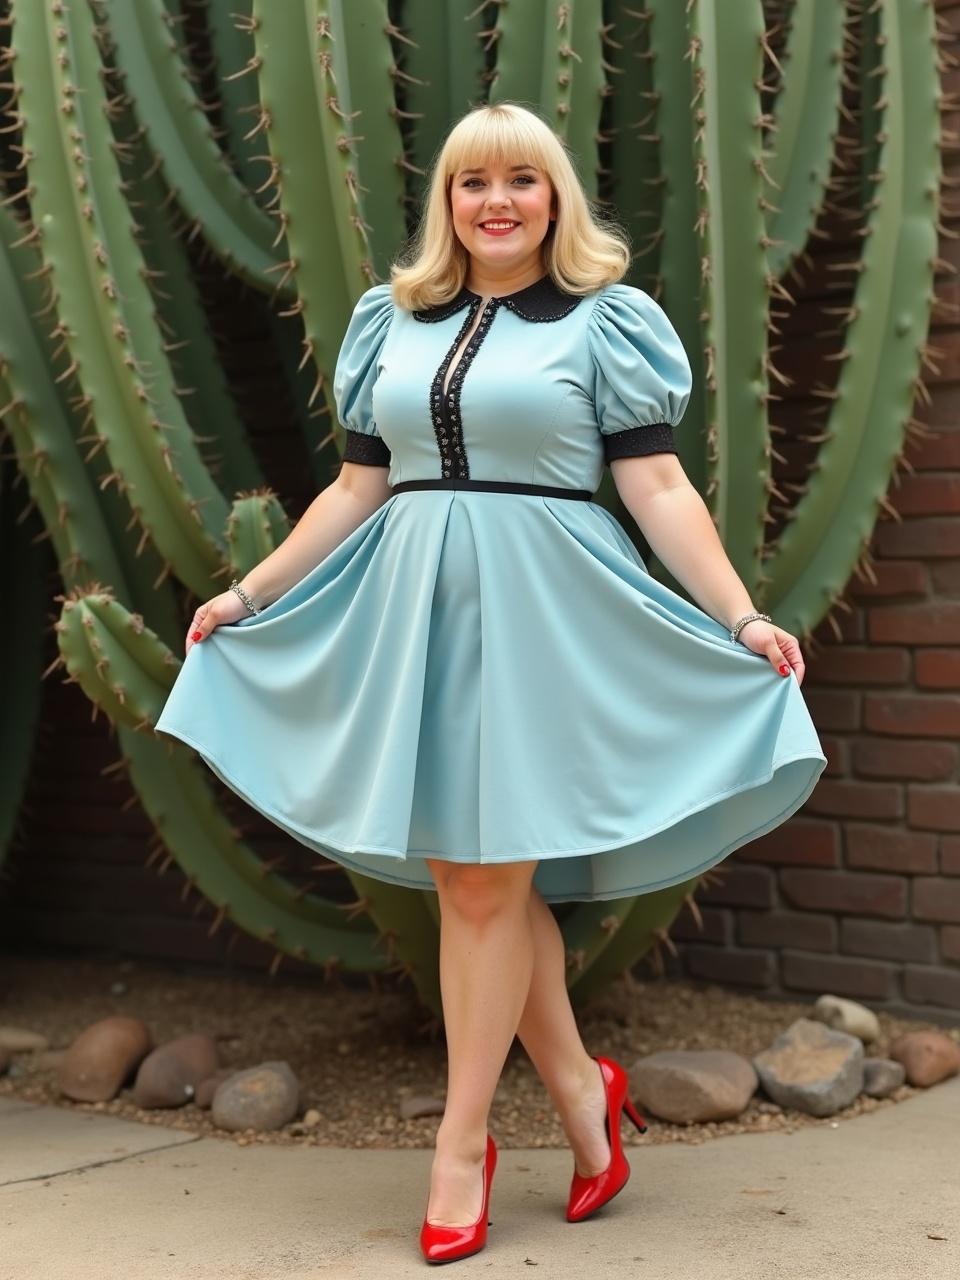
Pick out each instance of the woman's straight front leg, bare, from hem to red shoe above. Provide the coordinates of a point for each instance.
(487, 961)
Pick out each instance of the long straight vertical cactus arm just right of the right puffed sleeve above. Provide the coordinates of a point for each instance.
(726, 48)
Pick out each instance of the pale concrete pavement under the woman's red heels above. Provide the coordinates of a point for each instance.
(92, 1197)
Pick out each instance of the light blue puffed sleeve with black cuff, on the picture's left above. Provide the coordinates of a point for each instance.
(356, 373)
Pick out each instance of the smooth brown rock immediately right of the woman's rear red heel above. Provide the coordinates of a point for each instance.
(691, 1086)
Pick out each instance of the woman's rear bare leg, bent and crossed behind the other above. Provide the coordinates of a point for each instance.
(550, 1035)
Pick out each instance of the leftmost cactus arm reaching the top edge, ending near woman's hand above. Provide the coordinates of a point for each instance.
(104, 305)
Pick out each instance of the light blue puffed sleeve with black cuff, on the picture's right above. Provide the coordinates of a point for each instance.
(641, 371)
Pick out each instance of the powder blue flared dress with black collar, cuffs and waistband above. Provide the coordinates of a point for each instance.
(484, 671)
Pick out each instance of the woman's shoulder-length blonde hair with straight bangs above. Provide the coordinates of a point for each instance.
(582, 250)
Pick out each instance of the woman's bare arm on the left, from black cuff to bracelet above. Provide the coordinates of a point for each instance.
(331, 518)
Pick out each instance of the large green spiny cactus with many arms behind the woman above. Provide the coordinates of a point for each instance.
(721, 135)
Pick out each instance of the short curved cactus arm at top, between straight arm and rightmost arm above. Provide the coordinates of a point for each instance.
(806, 124)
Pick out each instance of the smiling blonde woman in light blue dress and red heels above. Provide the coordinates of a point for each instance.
(456, 673)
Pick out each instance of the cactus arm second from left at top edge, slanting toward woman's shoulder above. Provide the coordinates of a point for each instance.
(195, 168)
